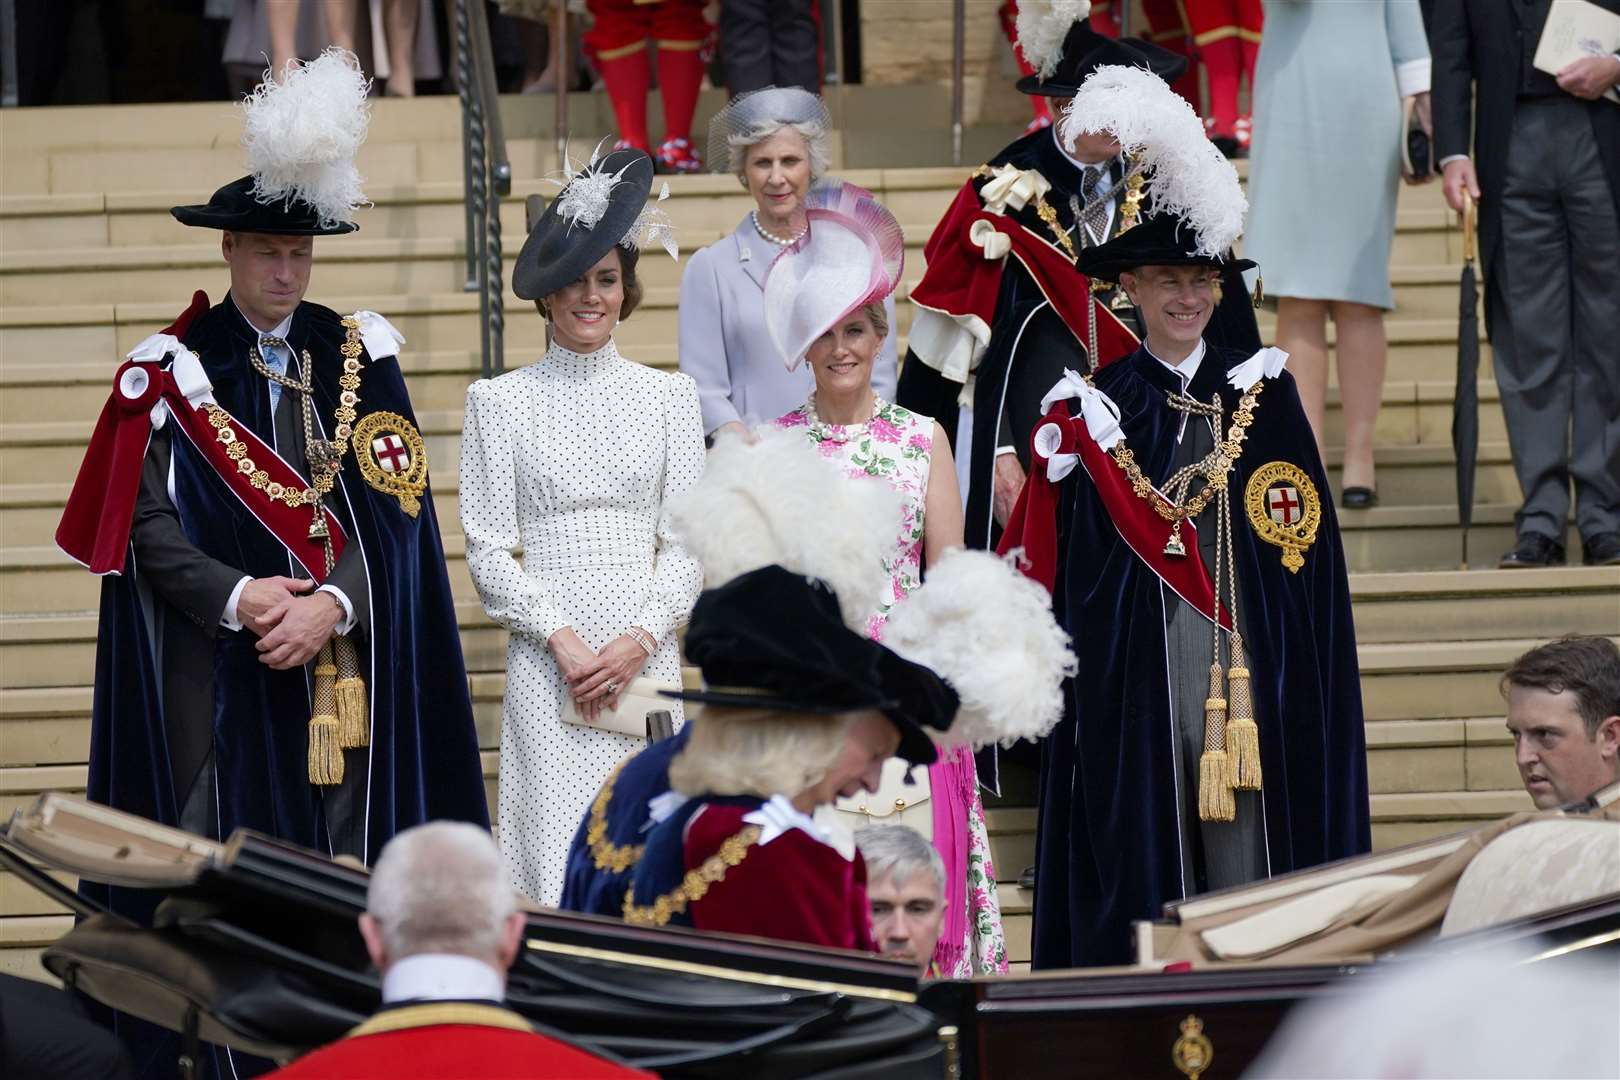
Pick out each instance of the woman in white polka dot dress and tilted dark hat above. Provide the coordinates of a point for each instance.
(566, 469)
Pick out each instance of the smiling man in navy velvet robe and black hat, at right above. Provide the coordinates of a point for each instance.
(1120, 827)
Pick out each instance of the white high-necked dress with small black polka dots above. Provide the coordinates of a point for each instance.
(566, 469)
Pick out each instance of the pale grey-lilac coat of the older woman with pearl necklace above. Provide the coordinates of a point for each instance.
(725, 346)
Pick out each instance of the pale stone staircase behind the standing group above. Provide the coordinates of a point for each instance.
(92, 263)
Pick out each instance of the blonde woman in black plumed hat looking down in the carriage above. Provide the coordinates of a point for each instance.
(799, 710)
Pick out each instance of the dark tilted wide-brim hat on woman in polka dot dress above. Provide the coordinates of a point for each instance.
(558, 252)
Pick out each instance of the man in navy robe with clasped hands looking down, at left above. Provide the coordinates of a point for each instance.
(211, 619)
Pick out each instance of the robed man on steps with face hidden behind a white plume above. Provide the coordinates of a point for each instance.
(992, 347)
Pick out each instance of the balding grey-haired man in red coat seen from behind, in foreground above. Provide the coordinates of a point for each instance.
(443, 929)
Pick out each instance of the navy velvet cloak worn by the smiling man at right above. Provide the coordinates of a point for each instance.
(1109, 836)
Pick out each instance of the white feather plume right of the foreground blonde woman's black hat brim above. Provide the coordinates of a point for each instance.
(987, 631)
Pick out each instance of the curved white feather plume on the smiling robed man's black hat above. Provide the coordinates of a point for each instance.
(1187, 176)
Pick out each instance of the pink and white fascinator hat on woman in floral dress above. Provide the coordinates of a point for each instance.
(851, 255)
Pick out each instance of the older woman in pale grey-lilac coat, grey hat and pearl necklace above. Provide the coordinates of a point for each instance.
(775, 142)
